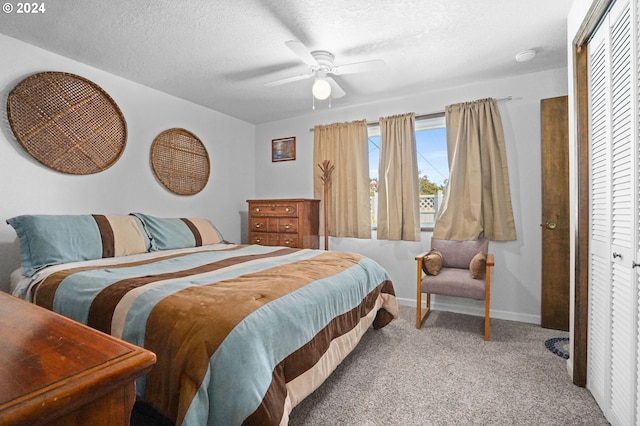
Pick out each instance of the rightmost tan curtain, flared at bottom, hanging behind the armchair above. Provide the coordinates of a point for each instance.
(478, 197)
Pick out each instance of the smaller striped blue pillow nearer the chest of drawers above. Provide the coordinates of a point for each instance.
(174, 233)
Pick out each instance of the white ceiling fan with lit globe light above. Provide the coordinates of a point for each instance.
(321, 67)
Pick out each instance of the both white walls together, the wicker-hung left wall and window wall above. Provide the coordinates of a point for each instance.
(129, 185)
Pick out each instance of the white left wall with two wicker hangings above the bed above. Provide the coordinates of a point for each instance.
(27, 187)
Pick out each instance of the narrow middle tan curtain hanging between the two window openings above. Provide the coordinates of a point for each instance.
(398, 187)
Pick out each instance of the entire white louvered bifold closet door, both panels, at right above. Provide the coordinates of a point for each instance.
(613, 317)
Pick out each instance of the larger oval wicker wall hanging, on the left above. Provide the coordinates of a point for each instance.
(67, 122)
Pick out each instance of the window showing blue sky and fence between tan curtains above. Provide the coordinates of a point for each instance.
(433, 167)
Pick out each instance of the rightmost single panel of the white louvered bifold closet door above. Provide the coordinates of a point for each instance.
(623, 185)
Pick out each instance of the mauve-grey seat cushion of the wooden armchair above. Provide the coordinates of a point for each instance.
(454, 282)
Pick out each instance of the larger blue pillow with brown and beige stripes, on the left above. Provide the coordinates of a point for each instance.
(53, 239)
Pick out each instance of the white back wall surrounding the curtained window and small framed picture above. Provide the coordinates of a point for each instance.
(516, 287)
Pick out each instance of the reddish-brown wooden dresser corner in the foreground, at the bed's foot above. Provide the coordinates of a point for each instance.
(54, 370)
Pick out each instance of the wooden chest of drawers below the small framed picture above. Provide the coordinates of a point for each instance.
(290, 222)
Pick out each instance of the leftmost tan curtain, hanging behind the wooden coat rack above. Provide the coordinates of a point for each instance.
(345, 145)
